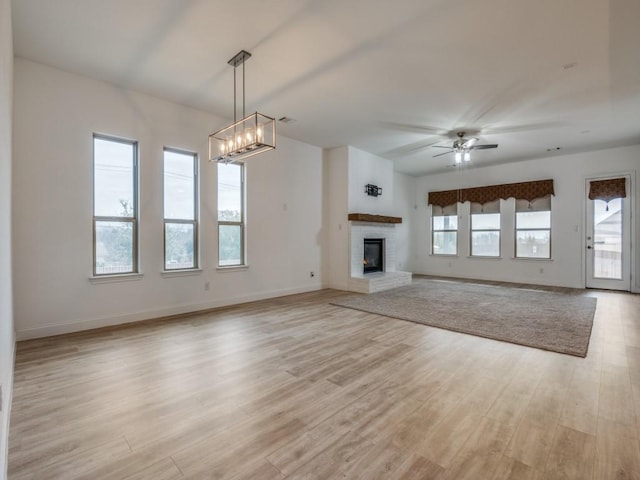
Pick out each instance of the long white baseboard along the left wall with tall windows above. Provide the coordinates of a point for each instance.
(81, 325)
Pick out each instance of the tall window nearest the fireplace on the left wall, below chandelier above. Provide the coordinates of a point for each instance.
(231, 214)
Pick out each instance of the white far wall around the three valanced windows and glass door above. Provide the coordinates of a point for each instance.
(569, 173)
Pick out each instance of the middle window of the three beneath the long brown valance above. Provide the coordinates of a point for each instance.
(485, 229)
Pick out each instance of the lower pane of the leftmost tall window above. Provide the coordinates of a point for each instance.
(114, 247)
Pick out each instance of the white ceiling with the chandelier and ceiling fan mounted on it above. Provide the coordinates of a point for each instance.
(391, 78)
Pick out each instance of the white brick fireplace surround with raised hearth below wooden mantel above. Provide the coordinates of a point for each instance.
(378, 281)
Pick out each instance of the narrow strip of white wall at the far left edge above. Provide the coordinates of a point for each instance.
(7, 335)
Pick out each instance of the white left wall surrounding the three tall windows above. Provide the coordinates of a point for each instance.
(55, 115)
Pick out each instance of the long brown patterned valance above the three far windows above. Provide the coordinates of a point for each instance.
(520, 191)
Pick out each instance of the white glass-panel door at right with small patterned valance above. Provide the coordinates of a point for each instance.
(608, 245)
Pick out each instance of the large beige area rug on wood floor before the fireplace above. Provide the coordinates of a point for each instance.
(559, 322)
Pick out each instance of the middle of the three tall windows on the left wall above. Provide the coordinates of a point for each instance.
(180, 210)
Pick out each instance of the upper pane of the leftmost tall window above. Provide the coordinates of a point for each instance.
(113, 178)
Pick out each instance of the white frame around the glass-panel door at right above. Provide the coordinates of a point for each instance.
(633, 235)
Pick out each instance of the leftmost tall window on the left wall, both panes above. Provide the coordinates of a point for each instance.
(115, 206)
